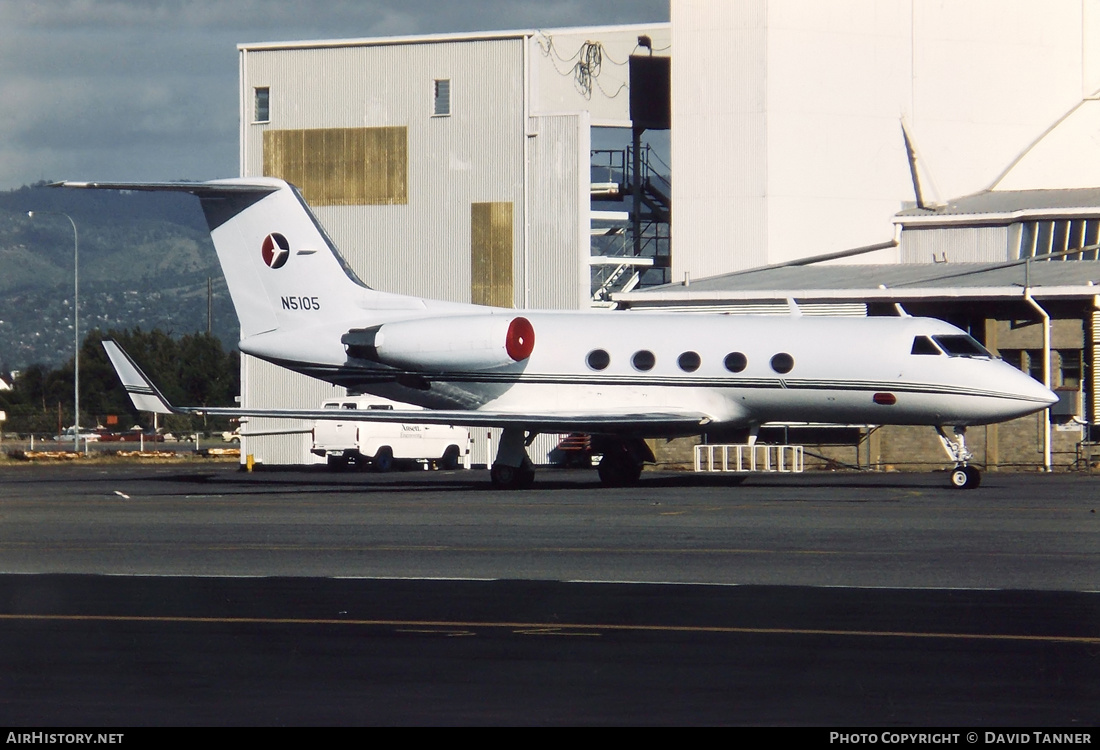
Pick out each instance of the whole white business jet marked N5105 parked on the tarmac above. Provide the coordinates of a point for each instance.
(620, 377)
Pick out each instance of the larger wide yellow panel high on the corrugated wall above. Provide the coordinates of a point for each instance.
(342, 167)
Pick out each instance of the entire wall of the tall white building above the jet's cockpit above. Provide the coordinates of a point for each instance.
(827, 84)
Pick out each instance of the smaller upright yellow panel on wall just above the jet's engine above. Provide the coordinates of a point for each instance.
(491, 255)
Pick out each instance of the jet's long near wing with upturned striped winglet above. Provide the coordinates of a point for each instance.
(148, 398)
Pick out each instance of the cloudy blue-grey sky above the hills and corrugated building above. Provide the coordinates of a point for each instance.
(148, 90)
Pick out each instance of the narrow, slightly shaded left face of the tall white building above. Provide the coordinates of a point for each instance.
(720, 160)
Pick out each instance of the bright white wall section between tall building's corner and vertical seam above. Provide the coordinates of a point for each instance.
(838, 167)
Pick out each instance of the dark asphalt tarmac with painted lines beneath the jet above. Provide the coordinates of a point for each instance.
(203, 595)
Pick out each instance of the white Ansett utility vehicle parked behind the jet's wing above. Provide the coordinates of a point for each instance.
(348, 444)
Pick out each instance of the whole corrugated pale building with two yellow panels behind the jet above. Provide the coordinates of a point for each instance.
(455, 168)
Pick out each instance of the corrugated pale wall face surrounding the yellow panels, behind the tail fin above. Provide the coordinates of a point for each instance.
(475, 156)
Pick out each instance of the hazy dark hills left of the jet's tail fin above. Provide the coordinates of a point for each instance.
(146, 260)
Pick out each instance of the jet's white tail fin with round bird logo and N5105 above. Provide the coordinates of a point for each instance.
(282, 269)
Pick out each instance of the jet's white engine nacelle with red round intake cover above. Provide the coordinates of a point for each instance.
(436, 345)
